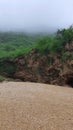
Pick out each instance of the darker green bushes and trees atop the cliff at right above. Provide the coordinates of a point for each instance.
(56, 44)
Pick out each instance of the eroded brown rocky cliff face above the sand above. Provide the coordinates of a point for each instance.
(49, 68)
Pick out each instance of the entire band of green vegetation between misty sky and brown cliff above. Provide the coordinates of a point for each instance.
(15, 44)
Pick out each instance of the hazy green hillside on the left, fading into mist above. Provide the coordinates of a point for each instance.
(14, 44)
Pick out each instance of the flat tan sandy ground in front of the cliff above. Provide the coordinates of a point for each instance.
(34, 106)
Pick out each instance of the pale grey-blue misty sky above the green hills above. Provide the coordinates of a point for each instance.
(35, 15)
